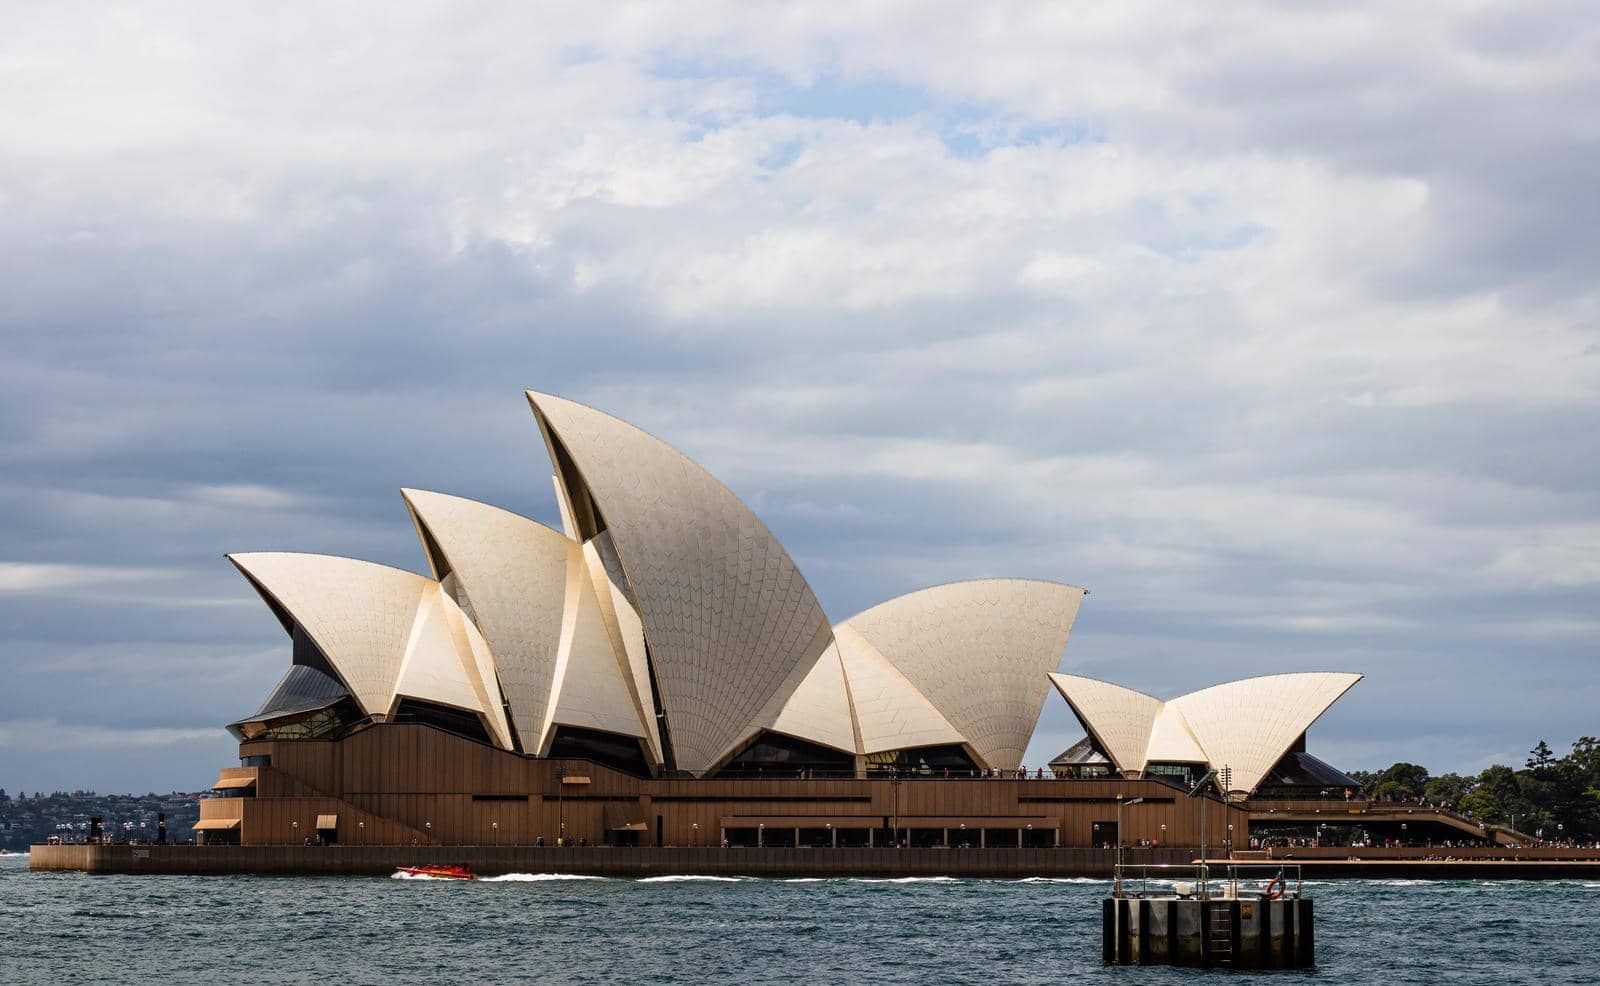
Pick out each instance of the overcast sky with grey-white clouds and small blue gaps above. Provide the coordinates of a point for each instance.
(1276, 329)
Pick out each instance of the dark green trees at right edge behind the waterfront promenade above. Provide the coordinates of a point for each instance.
(1559, 796)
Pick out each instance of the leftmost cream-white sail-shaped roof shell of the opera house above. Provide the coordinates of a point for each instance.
(388, 633)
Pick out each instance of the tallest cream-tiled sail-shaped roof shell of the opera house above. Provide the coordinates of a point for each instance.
(730, 623)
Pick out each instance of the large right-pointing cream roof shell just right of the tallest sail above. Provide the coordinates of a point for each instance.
(978, 652)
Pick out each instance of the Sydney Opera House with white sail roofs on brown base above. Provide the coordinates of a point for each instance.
(660, 673)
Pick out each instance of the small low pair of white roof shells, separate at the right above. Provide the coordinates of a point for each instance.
(1244, 726)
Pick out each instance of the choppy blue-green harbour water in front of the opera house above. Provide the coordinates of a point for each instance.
(111, 929)
